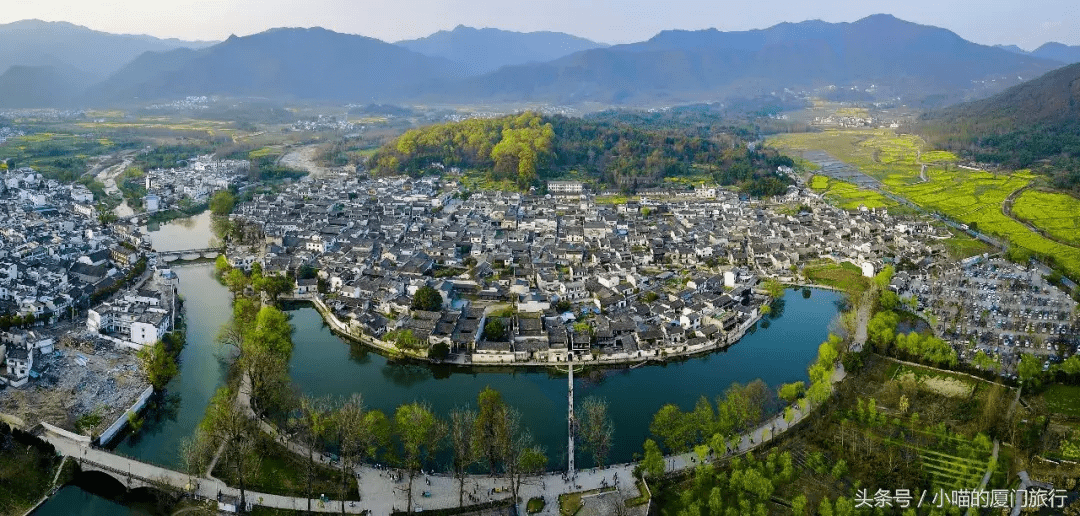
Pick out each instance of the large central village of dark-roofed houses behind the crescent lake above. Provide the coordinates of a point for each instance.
(671, 274)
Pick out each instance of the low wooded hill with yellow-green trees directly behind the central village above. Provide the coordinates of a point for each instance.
(529, 150)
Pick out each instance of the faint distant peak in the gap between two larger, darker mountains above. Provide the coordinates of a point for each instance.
(481, 51)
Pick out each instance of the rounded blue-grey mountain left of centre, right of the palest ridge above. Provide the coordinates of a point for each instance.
(288, 63)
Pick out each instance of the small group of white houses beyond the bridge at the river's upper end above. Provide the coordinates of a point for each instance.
(196, 182)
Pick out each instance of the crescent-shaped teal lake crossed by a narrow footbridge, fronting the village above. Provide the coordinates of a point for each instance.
(323, 364)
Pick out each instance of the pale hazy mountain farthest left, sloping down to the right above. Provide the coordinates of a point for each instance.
(34, 43)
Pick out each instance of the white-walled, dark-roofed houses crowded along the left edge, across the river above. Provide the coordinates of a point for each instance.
(55, 260)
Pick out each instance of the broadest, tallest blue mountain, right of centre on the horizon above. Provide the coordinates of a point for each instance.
(881, 56)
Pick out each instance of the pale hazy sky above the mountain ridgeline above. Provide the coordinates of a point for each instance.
(1028, 23)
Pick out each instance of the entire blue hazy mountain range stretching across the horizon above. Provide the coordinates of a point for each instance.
(877, 58)
